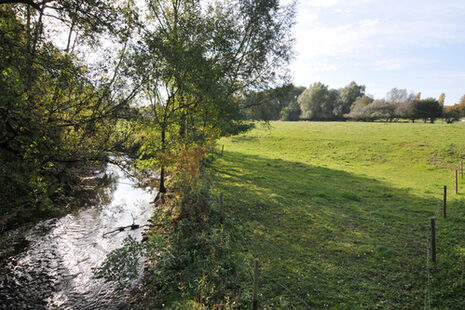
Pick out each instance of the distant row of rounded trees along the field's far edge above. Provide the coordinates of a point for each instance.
(321, 103)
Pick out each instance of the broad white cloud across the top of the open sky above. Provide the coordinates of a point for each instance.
(321, 34)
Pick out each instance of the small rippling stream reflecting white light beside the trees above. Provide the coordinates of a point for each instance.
(55, 270)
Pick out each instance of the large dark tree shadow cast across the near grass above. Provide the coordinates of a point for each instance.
(328, 238)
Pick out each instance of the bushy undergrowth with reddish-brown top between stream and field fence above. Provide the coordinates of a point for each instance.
(191, 263)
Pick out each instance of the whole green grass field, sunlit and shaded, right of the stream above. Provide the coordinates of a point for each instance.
(338, 213)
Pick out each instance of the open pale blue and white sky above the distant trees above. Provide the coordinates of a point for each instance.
(418, 45)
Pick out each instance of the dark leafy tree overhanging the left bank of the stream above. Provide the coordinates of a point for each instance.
(56, 116)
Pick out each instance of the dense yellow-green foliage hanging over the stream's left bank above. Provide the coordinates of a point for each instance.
(58, 121)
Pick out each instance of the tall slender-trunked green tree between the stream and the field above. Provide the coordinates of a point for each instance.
(198, 61)
